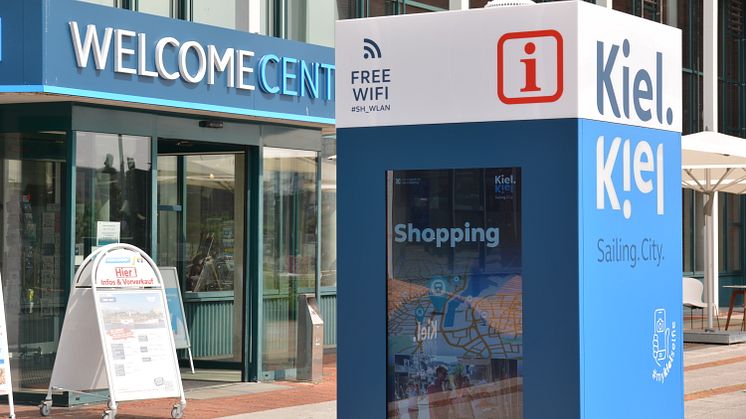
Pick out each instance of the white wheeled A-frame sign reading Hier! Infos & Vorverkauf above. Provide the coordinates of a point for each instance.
(118, 293)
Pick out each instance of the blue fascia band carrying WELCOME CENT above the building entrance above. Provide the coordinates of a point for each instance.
(79, 49)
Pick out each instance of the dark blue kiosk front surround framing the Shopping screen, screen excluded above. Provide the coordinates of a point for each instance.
(546, 152)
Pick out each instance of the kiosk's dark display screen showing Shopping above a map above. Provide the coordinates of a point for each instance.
(454, 310)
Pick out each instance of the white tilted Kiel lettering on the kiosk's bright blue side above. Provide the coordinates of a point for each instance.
(642, 164)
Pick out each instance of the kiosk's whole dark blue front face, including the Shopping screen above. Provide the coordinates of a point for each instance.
(538, 240)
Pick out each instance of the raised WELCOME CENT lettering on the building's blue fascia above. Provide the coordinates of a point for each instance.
(191, 61)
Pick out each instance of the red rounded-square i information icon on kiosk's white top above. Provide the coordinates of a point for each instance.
(529, 67)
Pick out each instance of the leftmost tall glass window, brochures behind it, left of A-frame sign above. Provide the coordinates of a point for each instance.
(32, 167)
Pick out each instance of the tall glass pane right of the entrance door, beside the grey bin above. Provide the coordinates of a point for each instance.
(290, 235)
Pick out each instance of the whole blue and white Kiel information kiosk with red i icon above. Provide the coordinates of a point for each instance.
(509, 215)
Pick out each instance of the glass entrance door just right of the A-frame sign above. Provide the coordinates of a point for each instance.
(201, 232)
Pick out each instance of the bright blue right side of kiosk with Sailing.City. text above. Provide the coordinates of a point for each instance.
(631, 331)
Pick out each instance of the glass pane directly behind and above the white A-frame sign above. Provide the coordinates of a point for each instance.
(113, 189)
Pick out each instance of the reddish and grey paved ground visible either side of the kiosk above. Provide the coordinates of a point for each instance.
(714, 387)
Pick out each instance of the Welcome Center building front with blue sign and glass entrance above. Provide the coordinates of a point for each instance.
(206, 145)
